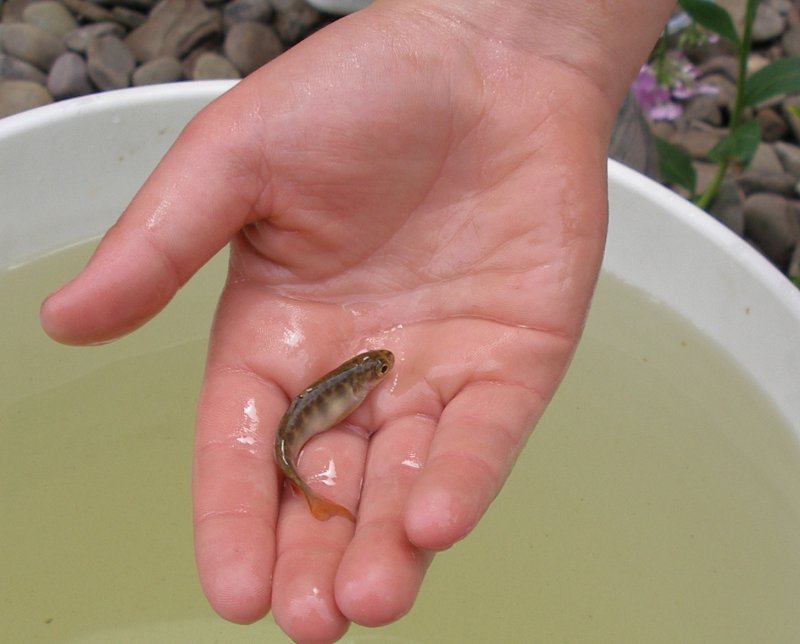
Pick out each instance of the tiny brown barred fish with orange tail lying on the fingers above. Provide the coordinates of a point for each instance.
(321, 406)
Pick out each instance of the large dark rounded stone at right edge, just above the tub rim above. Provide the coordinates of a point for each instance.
(770, 224)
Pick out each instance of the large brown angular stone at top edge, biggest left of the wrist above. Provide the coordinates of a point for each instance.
(173, 28)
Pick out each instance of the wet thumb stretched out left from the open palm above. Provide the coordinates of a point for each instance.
(202, 192)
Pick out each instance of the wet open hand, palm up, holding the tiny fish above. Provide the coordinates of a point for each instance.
(402, 181)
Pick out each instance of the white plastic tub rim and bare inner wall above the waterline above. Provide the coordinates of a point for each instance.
(67, 170)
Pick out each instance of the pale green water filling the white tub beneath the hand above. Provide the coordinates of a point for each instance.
(658, 500)
